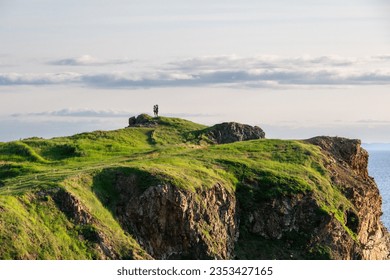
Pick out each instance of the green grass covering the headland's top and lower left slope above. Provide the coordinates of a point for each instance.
(170, 152)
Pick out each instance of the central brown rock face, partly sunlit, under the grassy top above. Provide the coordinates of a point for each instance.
(172, 223)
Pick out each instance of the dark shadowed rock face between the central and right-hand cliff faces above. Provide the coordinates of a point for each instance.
(289, 227)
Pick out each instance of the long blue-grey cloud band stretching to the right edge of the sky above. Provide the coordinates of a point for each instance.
(256, 77)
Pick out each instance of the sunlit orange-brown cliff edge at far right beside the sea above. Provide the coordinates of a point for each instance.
(347, 164)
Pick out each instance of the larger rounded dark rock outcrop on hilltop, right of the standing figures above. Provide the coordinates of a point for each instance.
(230, 132)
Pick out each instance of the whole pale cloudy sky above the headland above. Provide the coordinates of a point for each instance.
(297, 69)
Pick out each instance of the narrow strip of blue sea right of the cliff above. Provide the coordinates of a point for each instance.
(379, 168)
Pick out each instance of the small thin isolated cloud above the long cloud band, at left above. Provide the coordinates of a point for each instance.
(87, 60)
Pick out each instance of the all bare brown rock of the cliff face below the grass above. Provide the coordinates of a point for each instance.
(173, 223)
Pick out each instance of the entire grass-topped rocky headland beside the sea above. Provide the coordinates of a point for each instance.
(166, 189)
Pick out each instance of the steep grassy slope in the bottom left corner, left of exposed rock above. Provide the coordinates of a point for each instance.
(34, 229)
